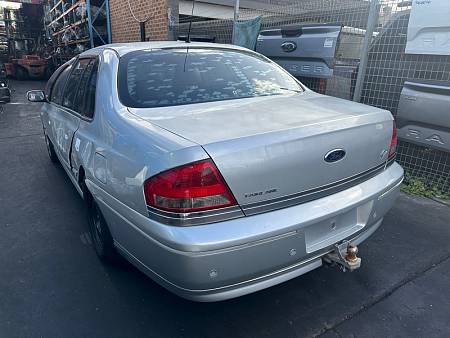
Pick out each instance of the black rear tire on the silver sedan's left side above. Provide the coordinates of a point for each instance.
(101, 236)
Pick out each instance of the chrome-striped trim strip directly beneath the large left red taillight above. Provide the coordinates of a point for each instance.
(194, 218)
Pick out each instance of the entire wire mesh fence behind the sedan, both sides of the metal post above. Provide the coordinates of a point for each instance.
(387, 68)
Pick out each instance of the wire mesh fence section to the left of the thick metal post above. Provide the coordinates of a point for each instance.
(349, 13)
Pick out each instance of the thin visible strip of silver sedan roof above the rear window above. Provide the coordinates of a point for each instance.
(124, 48)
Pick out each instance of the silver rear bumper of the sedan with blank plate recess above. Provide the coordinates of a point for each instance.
(228, 259)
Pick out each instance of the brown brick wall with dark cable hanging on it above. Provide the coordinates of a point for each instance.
(125, 29)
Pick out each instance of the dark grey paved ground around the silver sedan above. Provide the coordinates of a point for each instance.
(53, 285)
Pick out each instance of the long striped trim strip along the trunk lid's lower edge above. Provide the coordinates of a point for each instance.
(313, 194)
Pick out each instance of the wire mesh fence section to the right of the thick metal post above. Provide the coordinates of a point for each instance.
(387, 70)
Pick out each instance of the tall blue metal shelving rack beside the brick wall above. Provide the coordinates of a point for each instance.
(73, 26)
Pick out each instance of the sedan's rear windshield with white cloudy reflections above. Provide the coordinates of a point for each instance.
(178, 76)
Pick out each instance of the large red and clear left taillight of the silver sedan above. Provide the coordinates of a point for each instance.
(193, 187)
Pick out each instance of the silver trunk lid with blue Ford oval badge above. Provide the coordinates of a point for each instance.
(274, 148)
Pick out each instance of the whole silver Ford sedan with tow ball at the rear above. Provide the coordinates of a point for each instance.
(212, 169)
